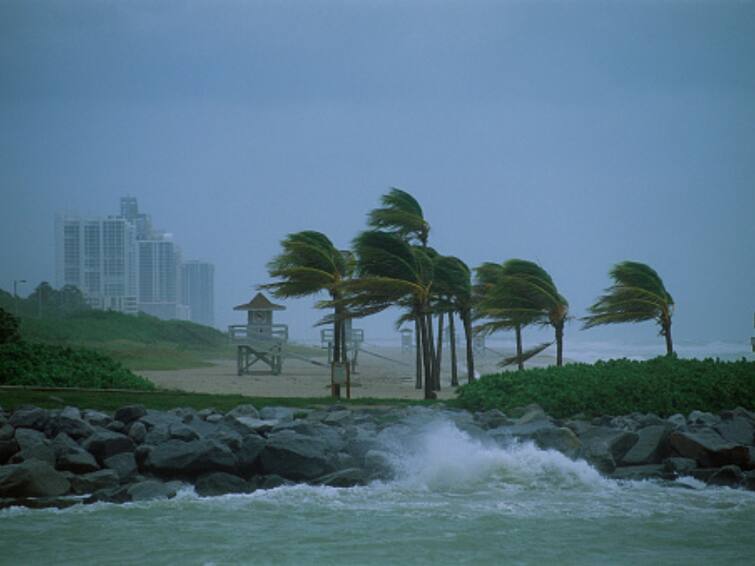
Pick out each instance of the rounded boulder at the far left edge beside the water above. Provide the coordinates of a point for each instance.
(32, 478)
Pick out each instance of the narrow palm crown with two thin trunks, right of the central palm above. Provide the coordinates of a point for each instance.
(454, 282)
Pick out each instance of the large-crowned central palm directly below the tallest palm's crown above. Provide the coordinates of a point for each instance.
(392, 272)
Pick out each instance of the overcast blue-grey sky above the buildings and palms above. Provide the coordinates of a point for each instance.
(576, 134)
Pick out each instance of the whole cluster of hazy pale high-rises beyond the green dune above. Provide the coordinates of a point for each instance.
(122, 263)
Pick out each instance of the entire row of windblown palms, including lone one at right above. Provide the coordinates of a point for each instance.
(392, 264)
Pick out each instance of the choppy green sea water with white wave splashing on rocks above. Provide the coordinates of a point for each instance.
(454, 500)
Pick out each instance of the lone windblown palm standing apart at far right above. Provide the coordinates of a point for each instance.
(637, 294)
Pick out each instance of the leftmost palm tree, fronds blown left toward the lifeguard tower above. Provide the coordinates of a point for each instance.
(310, 264)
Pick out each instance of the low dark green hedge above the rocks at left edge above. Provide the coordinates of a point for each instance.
(48, 365)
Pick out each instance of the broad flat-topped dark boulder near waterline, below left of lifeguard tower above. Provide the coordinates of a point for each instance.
(179, 458)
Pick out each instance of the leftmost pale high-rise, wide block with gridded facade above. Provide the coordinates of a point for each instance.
(97, 256)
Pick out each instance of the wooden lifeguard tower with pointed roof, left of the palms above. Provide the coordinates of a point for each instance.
(259, 340)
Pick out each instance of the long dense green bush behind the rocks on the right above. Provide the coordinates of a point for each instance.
(663, 386)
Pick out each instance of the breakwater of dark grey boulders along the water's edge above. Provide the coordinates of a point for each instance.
(69, 456)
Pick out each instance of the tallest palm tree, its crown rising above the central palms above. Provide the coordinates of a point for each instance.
(402, 215)
